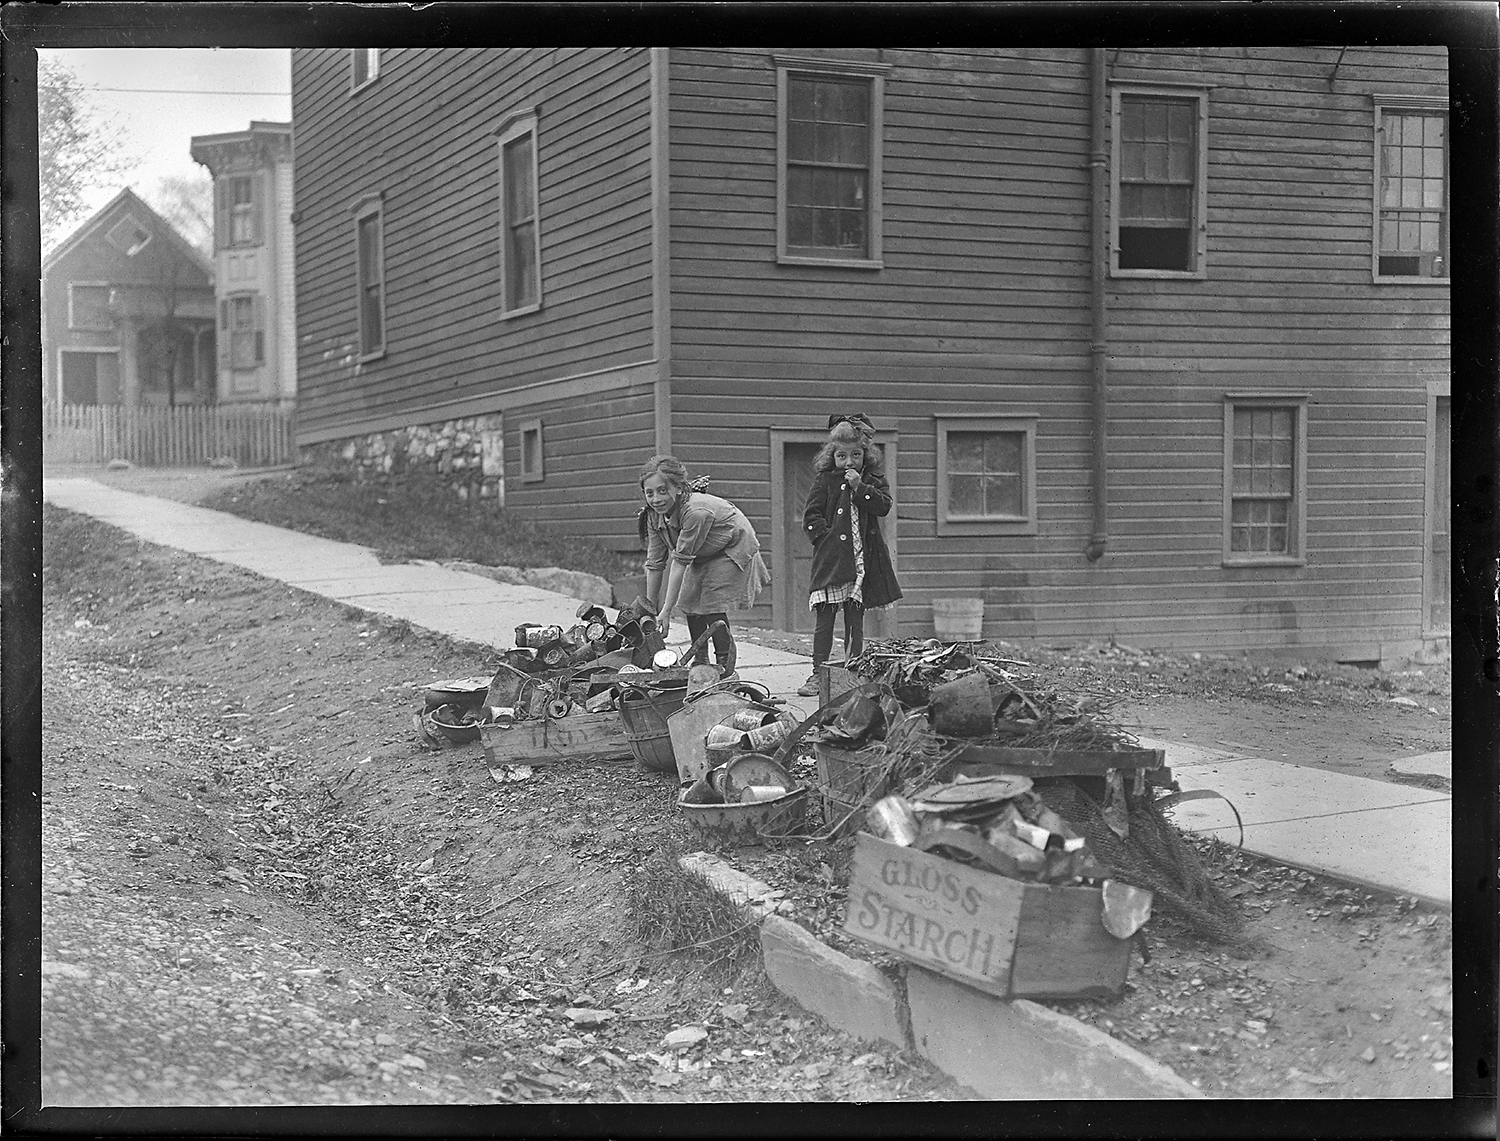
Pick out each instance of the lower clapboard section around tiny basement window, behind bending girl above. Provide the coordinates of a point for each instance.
(593, 451)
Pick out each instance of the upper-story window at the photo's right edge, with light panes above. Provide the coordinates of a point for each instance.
(1411, 190)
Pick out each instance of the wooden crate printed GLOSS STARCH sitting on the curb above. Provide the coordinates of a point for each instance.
(1003, 936)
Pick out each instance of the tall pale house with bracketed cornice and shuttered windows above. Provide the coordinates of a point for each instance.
(254, 260)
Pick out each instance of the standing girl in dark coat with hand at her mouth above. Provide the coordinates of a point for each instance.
(851, 565)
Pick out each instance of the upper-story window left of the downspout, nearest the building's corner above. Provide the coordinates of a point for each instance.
(829, 166)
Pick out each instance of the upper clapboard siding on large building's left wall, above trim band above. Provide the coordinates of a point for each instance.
(424, 136)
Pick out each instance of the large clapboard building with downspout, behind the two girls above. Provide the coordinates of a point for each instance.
(1157, 341)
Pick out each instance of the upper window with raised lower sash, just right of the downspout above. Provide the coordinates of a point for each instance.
(1157, 182)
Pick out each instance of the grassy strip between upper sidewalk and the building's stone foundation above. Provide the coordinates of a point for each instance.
(413, 518)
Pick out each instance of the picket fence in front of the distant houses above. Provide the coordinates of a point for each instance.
(253, 436)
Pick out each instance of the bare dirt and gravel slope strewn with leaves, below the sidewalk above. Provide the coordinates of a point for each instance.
(259, 890)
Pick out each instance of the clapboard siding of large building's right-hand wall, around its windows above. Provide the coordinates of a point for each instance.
(983, 307)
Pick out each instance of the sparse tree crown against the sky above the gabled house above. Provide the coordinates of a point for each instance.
(77, 152)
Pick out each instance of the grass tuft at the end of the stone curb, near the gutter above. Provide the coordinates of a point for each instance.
(674, 912)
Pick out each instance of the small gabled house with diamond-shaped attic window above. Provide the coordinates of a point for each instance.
(127, 313)
